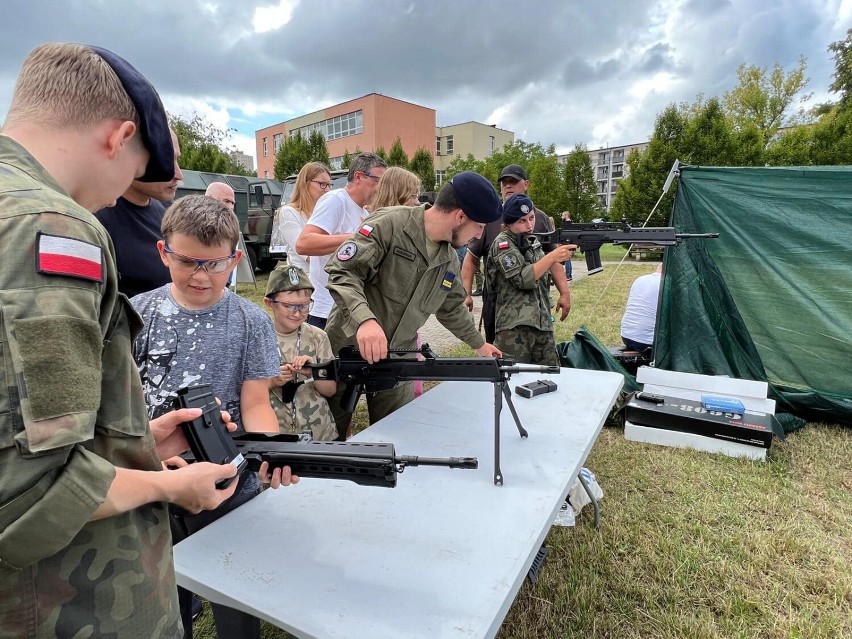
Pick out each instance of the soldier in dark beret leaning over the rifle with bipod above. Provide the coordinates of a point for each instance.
(399, 268)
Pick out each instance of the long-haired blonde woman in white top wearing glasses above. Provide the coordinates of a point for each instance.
(313, 181)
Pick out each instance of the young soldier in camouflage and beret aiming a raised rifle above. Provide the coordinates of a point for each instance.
(514, 274)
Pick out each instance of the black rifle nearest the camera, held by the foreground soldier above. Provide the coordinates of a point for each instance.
(365, 463)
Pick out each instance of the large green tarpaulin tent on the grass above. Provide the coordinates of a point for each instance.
(771, 299)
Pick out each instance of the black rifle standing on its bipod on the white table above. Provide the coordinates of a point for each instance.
(359, 377)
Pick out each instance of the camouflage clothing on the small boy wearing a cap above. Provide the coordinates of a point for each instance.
(312, 412)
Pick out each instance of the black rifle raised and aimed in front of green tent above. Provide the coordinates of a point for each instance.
(590, 237)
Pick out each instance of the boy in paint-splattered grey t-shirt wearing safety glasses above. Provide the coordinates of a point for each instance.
(198, 332)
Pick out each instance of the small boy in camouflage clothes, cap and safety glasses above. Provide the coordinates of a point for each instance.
(288, 296)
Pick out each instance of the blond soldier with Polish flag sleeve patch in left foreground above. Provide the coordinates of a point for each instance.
(85, 549)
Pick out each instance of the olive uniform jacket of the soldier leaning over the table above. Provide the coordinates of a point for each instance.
(384, 272)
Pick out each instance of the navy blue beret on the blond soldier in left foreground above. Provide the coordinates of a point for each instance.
(153, 124)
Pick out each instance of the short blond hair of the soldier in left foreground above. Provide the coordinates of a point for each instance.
(63, 84)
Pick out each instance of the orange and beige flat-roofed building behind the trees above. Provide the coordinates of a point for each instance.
(365, 123)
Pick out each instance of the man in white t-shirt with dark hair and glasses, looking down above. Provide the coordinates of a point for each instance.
(337, 215)
